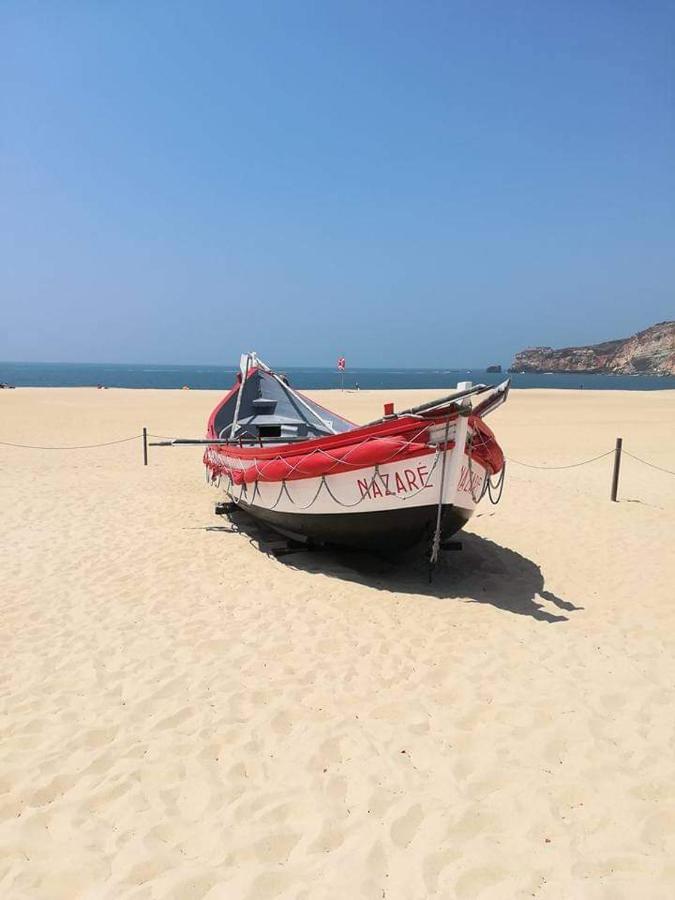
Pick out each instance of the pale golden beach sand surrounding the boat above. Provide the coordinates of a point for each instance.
(185, 717)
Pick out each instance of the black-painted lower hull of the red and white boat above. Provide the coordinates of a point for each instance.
(384, 530)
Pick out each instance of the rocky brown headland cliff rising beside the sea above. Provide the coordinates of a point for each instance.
(649, 352)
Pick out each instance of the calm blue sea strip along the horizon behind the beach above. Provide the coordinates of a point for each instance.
(221, 377)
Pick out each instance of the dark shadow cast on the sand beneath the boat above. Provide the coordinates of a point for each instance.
(481, 572)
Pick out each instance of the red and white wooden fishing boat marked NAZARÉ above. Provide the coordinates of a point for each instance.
(312, 475)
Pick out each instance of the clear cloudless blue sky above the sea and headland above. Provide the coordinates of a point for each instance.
(405, 184)
